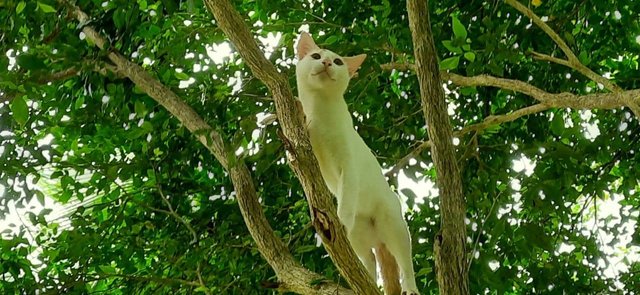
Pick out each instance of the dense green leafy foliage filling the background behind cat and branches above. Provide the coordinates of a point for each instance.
(158, 213)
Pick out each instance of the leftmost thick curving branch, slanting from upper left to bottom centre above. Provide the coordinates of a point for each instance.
(293, 277)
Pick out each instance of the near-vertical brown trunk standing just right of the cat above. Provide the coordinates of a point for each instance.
(449, 247)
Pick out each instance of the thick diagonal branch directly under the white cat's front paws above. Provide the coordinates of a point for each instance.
(296, 140)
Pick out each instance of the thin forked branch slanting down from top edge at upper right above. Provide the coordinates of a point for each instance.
(572, 61)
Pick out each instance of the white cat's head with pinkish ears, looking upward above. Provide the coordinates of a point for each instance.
(321, 69)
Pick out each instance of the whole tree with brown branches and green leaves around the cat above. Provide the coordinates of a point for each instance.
(136, 109)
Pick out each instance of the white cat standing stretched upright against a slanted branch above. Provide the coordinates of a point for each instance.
(368, 208)
